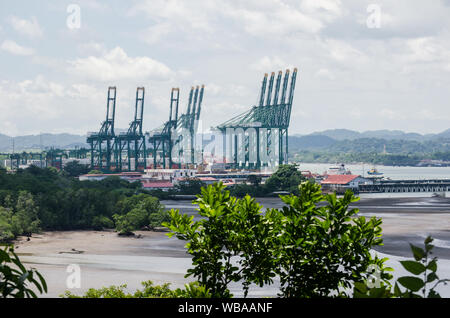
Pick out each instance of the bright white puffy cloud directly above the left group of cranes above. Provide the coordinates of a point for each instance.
(116, 65)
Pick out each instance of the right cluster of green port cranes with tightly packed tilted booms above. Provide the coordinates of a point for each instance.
(259, 137)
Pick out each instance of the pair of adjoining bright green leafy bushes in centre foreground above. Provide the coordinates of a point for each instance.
(315, 250)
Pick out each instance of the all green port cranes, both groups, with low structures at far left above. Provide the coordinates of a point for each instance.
(253, 140)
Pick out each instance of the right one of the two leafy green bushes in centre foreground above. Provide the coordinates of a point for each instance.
(322, 250)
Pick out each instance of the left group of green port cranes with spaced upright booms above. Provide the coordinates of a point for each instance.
(129, 151)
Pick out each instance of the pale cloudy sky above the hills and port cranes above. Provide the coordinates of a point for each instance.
(363, 65)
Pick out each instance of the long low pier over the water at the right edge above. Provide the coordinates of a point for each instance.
(393, 186)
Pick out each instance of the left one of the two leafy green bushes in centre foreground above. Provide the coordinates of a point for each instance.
(231, 229)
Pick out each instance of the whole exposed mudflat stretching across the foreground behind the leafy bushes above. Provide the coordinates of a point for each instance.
(106, 259)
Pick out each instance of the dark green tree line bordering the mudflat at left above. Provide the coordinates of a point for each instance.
(35, 199)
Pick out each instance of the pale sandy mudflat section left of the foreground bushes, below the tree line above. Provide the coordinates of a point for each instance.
(105, 259)
